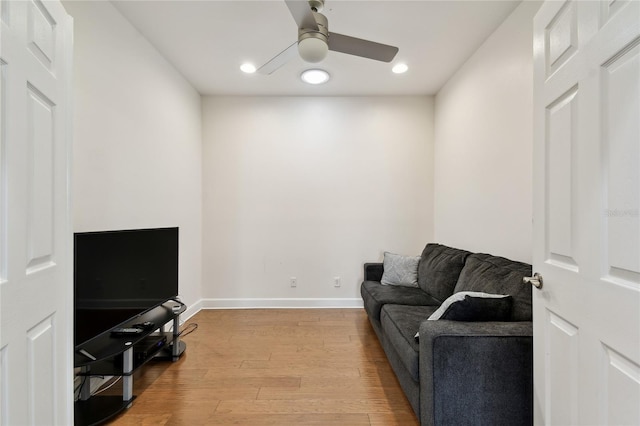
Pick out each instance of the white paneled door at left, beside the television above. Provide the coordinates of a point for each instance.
(36, 285)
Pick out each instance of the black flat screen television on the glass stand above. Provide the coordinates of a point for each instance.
(120, 274)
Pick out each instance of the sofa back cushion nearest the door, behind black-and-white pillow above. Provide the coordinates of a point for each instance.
(497, 275)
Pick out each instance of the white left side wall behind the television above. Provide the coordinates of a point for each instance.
(137, 137)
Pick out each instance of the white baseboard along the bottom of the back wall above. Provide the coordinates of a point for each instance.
(280, 303)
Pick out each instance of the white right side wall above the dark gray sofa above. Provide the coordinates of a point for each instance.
(483, 150)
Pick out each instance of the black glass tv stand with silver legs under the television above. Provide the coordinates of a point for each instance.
(109, 355)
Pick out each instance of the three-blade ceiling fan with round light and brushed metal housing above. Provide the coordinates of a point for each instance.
(315, 40)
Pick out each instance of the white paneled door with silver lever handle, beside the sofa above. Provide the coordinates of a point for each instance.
(586, 213)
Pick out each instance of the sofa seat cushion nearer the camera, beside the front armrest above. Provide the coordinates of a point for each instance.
(399, 326)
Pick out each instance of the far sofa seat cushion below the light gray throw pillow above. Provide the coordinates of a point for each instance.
(375, 296)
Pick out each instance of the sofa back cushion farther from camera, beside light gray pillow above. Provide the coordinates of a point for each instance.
(439, 269)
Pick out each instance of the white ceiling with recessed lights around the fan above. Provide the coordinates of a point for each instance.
(208, 40)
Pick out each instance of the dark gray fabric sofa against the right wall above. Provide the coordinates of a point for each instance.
(458, 373)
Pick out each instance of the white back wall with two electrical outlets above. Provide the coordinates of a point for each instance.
(311, 187)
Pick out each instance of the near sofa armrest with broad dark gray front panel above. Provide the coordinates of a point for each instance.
(476, 373)
